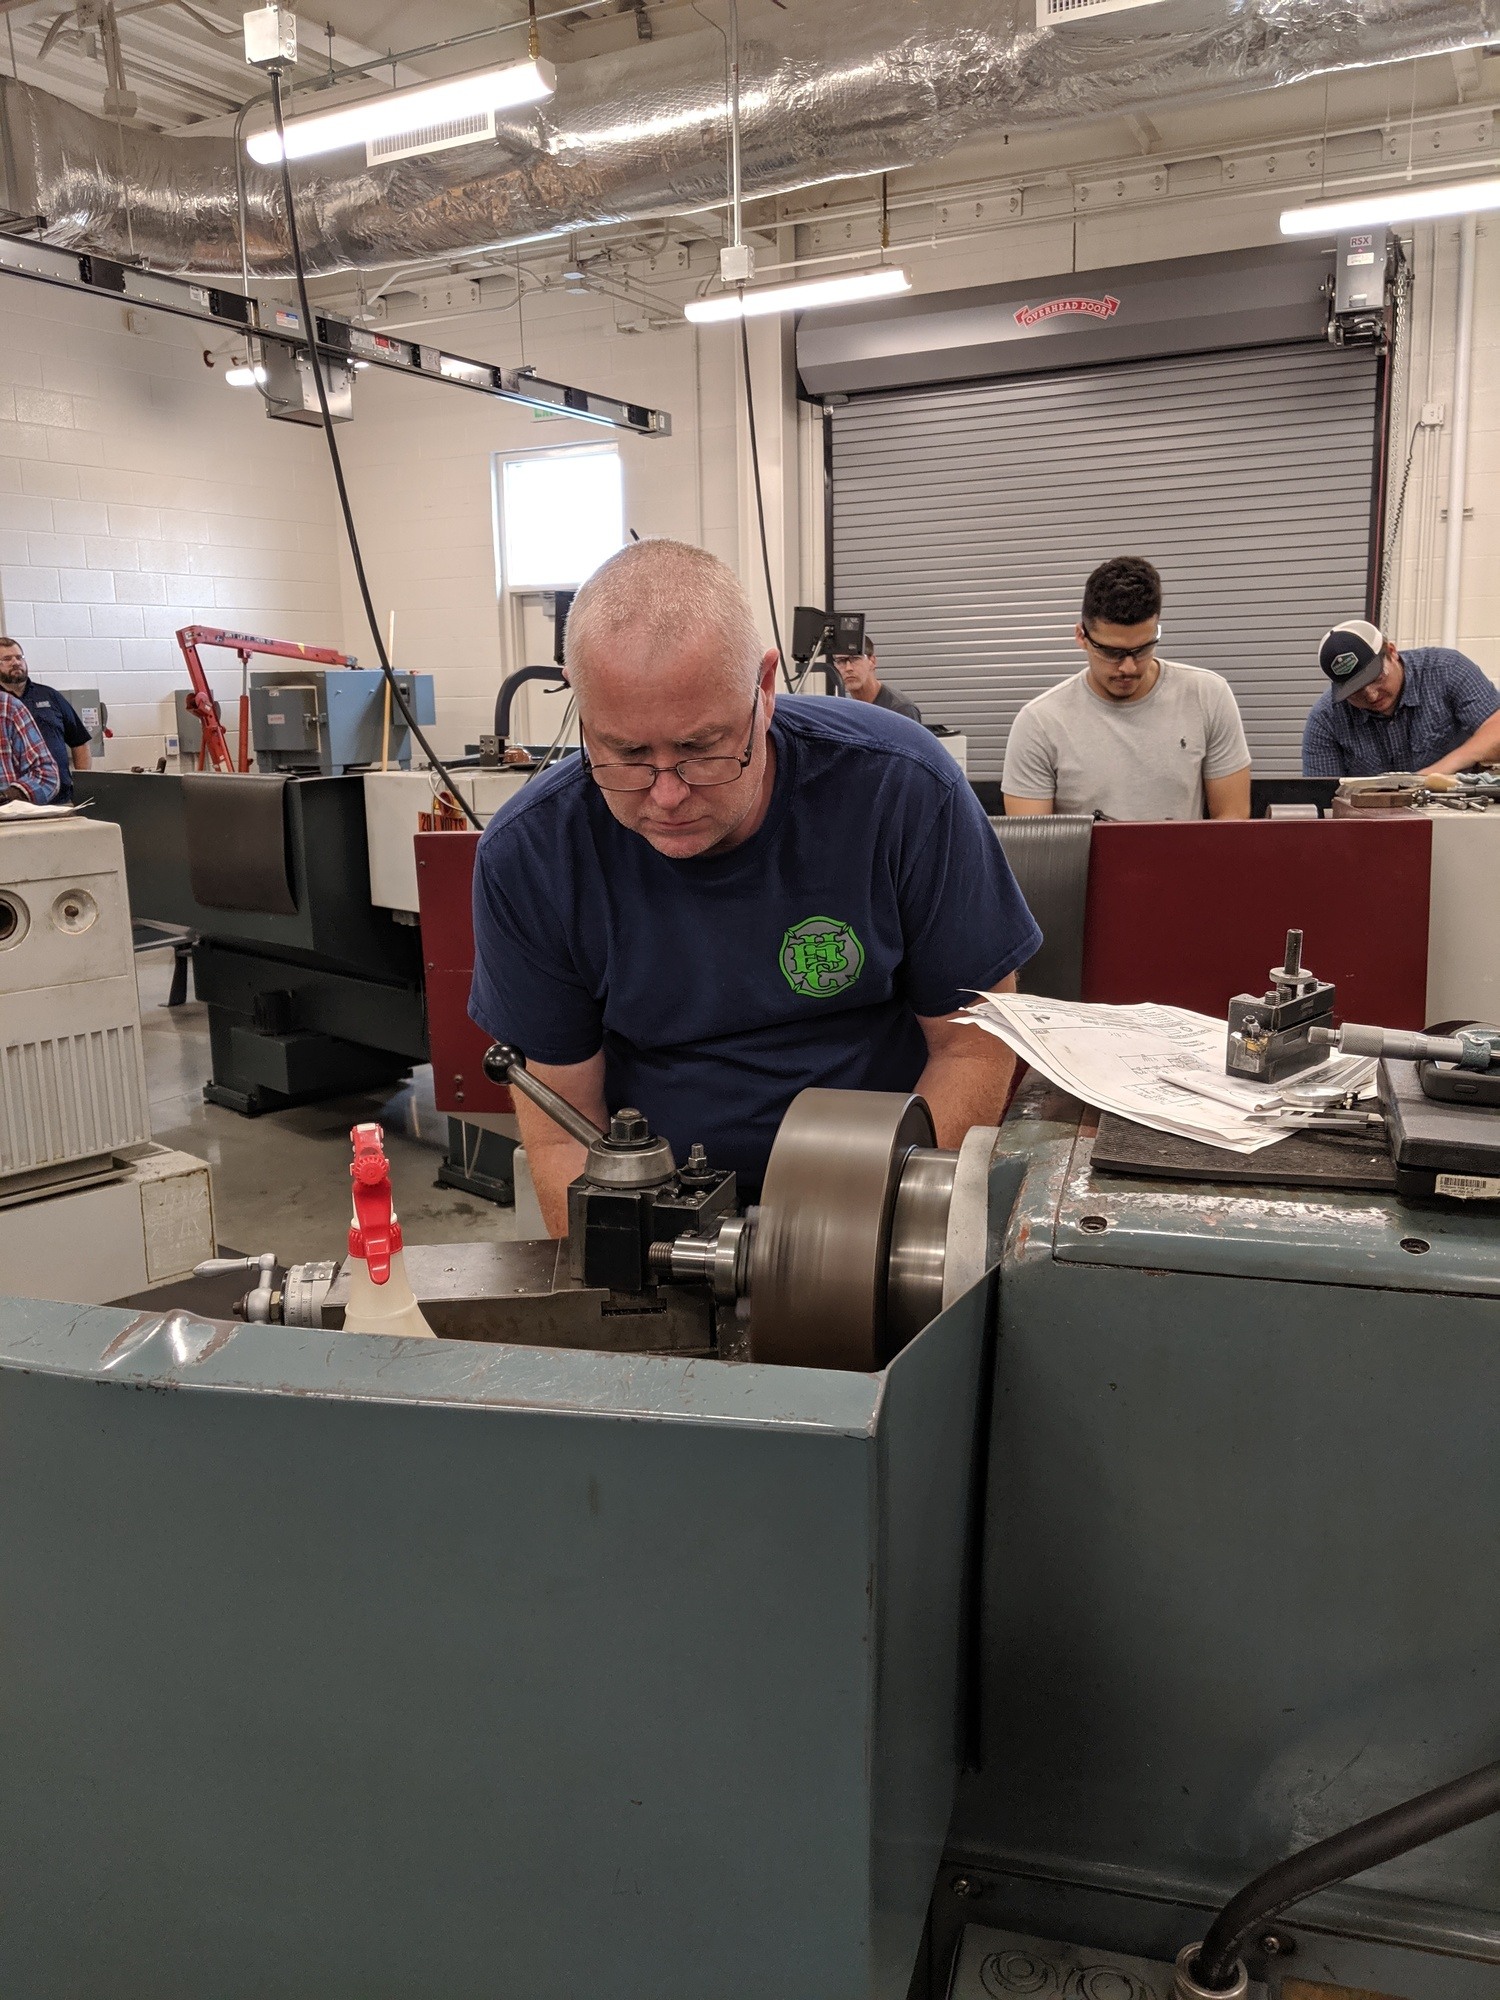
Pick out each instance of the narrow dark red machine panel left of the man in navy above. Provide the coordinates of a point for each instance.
(445, 879)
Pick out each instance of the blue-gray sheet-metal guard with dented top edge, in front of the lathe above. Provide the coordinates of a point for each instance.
(347, 1667)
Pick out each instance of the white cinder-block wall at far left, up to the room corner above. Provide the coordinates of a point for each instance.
(141, 495)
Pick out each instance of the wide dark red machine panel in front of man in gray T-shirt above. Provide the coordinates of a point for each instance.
(1195, 913)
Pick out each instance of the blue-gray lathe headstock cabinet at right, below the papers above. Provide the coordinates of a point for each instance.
(1241, 1555)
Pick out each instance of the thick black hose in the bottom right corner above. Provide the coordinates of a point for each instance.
(1337, 1859)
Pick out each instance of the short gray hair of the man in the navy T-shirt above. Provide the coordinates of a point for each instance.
(663, 595)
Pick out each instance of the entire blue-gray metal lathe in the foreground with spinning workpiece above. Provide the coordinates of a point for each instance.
(955, 1577)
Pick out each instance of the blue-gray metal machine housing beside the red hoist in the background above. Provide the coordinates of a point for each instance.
(333, 719)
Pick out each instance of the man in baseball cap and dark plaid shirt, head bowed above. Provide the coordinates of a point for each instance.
(1427, 711)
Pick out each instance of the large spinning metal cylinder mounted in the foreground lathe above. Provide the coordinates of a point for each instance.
(819, 1267)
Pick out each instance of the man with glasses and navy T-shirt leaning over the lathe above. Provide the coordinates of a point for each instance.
(733, 897)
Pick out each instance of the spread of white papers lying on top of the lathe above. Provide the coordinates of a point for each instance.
(1155, 1065)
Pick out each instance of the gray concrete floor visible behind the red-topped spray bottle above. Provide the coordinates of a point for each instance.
(281, 1183)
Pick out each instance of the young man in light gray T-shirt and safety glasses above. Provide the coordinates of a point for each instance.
(1133, 737)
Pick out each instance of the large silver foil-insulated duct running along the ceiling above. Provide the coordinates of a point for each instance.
(849, 87)
